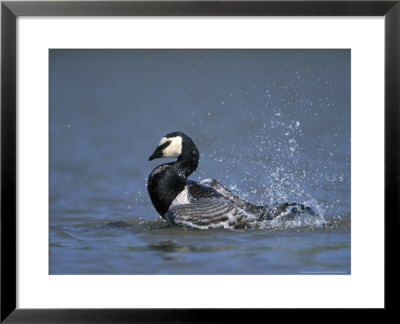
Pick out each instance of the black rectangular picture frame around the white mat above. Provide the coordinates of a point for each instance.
(10, 10)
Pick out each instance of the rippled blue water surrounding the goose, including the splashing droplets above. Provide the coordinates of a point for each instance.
(272, 125)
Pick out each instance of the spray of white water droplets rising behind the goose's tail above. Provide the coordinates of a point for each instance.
(277, 169)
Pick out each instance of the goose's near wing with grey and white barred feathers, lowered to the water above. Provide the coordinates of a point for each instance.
(209, 212)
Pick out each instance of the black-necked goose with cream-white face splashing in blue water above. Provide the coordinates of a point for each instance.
(206, 204)
